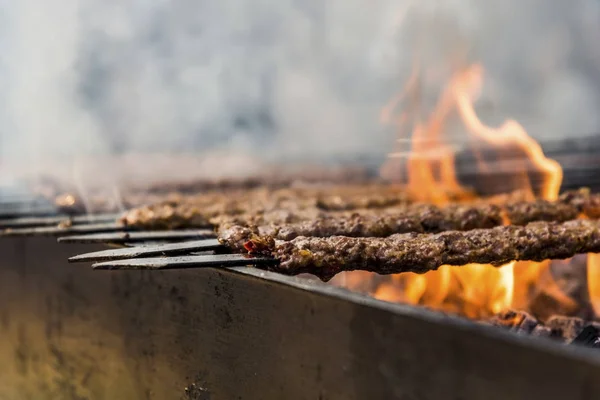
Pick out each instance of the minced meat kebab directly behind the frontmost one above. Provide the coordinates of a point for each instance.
(419, 218)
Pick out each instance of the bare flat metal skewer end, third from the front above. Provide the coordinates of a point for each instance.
(131, 237)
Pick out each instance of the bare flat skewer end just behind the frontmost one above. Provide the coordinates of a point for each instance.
(169, 249)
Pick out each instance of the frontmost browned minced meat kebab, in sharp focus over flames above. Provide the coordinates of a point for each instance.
(420, 253)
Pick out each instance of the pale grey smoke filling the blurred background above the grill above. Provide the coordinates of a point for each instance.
(275, 79)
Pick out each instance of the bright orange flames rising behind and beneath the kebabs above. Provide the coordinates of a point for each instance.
(428, 171)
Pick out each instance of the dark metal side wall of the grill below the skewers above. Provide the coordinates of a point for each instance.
(73, 333)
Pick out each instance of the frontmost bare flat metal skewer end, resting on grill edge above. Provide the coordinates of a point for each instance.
(184, 262)
